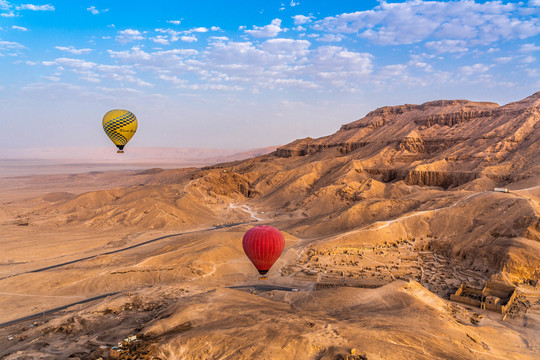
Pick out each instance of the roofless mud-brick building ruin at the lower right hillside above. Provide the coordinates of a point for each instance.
(493, 296)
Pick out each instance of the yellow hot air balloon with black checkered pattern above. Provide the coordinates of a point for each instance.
(120, 126)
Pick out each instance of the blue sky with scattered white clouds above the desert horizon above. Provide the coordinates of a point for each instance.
(245, 74)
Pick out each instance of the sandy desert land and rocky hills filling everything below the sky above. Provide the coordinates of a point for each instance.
(383, 220)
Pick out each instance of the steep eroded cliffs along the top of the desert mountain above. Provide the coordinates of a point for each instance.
(472, 139)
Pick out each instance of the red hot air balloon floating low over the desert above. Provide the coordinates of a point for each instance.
(263, 245)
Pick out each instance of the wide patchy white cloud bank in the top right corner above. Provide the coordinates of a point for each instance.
(415, 21)
